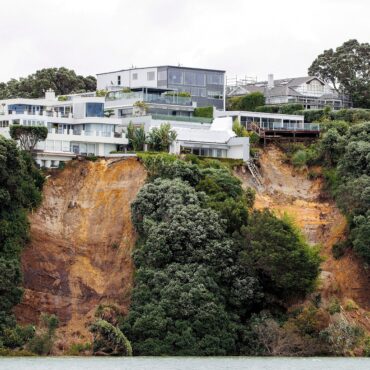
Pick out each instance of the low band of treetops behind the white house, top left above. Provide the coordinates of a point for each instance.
(61, 80)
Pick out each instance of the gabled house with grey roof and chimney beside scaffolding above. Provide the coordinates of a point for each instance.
(310, 91)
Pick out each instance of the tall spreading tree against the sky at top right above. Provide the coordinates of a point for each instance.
(347, 69)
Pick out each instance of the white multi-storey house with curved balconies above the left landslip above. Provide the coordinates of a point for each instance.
(76, 126)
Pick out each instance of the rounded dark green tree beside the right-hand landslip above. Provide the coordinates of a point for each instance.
(286, 266)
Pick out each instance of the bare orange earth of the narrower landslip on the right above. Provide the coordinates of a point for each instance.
(287, 191)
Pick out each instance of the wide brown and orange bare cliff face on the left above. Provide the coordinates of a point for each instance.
(81, 243)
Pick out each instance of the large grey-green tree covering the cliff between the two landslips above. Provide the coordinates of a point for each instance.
(189, 286)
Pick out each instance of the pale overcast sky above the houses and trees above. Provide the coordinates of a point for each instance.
(243, 37)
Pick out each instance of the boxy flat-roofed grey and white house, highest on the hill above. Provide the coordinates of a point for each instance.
(206, 86)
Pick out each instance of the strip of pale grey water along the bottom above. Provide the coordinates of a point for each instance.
(182, 363)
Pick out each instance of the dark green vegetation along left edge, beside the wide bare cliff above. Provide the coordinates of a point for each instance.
(20, 184)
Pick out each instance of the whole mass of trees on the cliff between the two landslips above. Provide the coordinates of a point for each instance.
(205, 263)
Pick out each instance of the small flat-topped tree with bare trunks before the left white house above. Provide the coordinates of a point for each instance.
(28, 136)
